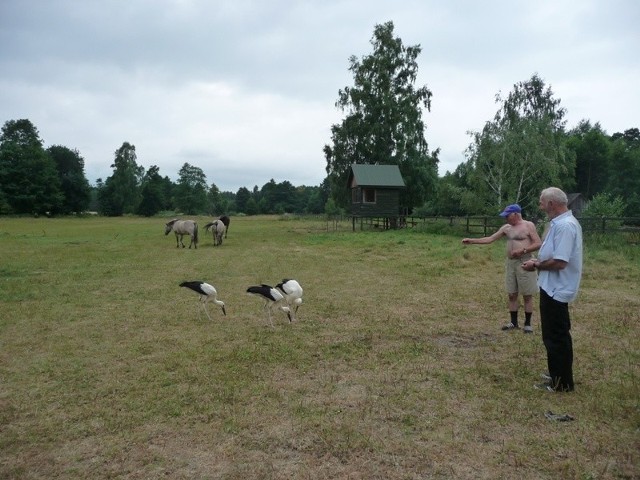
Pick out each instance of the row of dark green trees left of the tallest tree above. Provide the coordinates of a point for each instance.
(51, 181)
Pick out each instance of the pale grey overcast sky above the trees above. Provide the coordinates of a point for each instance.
(246, 89)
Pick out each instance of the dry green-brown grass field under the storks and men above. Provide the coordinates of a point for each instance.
(395, 369)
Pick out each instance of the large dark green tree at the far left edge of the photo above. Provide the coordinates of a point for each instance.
(29, 181)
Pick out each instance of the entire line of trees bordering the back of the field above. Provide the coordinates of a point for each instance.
(523, 149)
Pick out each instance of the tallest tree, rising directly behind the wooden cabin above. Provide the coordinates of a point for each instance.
(383, 122)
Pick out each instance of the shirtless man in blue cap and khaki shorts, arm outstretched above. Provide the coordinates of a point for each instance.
(522, 240)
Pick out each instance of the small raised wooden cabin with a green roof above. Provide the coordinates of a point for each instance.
(375, 192)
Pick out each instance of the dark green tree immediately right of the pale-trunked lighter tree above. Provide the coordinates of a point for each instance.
(591, 146)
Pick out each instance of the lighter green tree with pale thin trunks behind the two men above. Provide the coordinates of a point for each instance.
(523, 149)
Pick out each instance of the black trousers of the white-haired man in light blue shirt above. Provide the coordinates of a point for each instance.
(555, 323)
